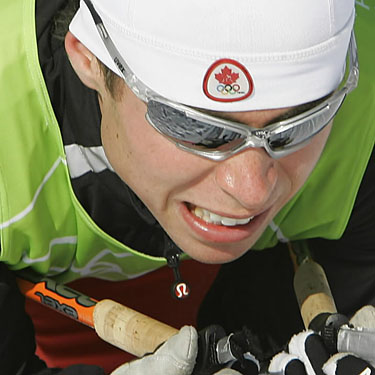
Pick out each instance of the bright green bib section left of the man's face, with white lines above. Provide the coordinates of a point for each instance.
(42, 225)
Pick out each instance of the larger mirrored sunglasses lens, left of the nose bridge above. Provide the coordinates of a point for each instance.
(188, 131)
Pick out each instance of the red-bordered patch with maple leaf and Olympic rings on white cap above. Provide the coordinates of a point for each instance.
(227, 81)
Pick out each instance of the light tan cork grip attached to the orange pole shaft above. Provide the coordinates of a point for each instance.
(128, 329)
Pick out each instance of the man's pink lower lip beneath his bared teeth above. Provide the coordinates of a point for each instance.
(220, 233)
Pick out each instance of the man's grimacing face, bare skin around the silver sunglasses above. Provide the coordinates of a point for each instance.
(177, 186)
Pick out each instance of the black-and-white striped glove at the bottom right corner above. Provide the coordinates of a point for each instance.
(307, 353)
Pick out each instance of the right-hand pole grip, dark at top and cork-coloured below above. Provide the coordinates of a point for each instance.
(312, 290)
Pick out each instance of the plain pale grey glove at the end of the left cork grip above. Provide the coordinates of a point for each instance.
(175, 357)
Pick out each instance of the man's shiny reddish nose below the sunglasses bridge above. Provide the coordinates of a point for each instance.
(249, 177)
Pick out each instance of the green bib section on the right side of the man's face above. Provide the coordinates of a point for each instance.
(322, 207)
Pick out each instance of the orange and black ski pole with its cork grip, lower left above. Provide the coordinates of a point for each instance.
(116, 324)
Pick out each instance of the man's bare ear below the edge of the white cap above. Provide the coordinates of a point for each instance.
(83, 62)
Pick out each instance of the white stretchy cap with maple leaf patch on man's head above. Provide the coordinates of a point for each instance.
(226, 55)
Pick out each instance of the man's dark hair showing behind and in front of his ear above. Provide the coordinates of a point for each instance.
(59, 29)
